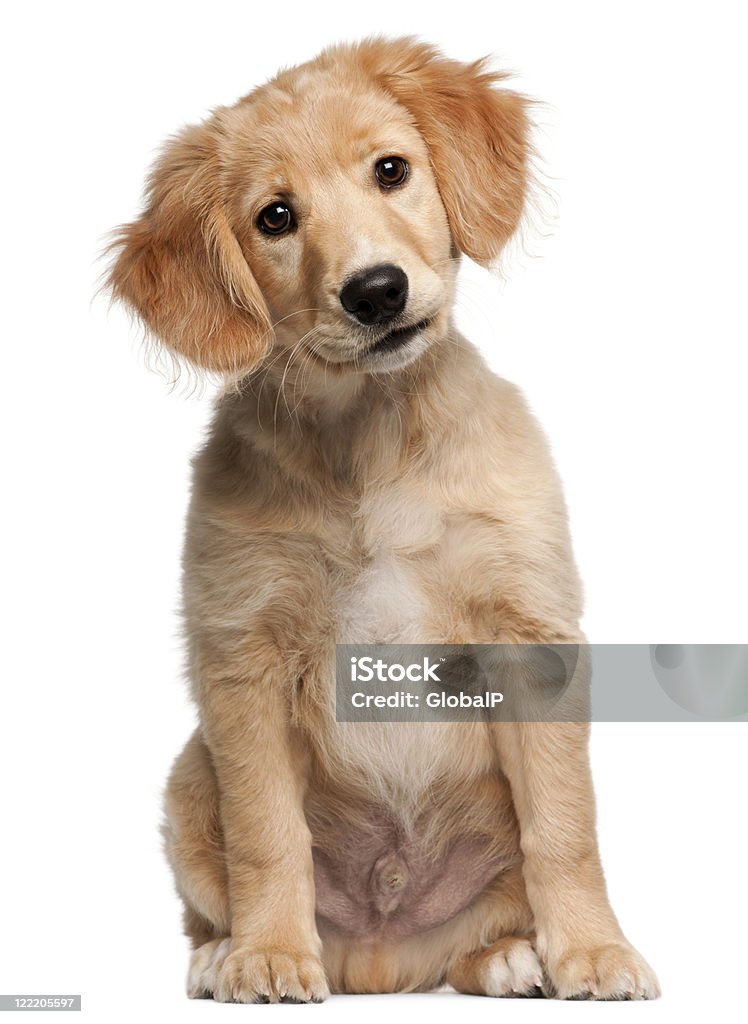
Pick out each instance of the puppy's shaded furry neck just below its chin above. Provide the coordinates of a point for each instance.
(321, 425)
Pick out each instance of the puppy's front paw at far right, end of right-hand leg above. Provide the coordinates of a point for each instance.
(614, 971)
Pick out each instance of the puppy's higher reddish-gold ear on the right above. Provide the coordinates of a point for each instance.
(478, 137)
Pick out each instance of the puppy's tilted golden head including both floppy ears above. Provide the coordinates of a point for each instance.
(326, 210)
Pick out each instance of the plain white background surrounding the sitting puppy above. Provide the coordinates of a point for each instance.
(626, 326)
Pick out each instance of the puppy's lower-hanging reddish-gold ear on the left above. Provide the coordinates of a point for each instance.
(181, 268)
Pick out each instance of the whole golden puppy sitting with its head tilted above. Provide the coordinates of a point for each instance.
(366, 480)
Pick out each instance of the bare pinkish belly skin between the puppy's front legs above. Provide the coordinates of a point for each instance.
(383, 886)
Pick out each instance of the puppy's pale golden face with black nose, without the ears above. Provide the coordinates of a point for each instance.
(338, 211)
